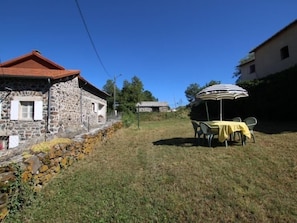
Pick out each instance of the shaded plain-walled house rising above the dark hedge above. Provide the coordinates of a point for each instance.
(277, 53)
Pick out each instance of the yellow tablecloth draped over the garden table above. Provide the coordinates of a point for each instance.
(226, 128)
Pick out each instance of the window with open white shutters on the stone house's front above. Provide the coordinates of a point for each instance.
(26, 110)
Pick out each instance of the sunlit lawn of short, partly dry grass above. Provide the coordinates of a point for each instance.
(157, 173)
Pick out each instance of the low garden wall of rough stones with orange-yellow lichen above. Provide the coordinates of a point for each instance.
(39, 166)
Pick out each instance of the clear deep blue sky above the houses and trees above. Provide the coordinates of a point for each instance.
(168, 44)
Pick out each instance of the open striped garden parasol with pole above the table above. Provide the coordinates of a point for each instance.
(220, 92)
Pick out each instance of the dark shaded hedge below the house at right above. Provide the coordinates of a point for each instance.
(272, 97)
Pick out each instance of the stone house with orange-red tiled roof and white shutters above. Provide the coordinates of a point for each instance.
(40, 99)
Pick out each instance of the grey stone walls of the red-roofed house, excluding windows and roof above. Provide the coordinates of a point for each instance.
(66, 109)
